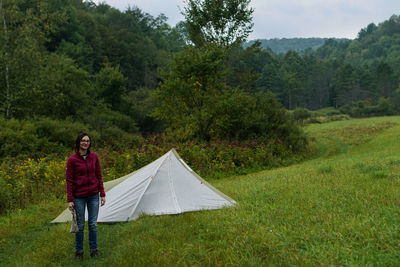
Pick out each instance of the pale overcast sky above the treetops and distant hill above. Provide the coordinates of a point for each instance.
(290, 18)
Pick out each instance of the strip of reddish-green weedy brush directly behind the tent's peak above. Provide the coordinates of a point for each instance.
(209, 159)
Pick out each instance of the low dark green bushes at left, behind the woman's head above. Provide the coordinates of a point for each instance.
(43, 136)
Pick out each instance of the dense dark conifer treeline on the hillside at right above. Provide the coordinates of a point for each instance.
(339, 74)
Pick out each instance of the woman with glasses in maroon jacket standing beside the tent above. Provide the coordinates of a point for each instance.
(84, 184)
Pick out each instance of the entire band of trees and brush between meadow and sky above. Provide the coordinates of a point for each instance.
(140, 86)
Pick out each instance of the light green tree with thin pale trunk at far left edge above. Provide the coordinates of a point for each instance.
(22, 54)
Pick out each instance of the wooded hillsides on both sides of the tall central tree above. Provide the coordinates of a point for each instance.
(98, 65)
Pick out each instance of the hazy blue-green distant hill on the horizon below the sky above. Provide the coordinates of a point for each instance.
(297, 44)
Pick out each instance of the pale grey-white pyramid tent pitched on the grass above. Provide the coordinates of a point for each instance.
(165, 186)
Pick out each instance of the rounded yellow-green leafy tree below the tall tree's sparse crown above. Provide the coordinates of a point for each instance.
(190, 90)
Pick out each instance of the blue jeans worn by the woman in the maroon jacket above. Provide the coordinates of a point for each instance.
(92, 204)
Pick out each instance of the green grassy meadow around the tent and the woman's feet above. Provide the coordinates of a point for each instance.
(339, 209)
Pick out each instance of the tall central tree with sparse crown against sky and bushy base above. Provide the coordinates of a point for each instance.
(207, 92)
